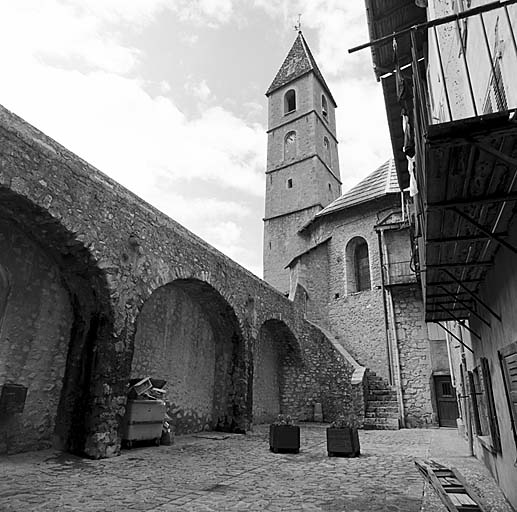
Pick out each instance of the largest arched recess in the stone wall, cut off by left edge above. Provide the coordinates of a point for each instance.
(50, 327)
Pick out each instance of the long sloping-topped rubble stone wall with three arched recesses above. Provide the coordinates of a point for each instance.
(98, 287)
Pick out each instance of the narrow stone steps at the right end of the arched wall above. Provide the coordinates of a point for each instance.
(382, 409)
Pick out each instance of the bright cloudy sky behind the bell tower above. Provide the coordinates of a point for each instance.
(167, 96)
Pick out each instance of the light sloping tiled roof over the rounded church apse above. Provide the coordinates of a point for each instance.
(380, 182)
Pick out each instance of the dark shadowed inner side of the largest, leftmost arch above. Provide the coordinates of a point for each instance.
(92, 316)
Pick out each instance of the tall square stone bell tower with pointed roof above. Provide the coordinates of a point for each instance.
(302, 160)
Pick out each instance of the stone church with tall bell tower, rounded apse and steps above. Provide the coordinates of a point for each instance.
(349, 255)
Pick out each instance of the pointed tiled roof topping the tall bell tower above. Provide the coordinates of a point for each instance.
(298, 62)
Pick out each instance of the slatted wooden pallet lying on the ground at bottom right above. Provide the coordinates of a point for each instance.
(456, 494)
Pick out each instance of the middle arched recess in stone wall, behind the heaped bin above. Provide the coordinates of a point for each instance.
(188, 335)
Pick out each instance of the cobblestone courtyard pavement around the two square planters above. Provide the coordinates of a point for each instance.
(217, 472)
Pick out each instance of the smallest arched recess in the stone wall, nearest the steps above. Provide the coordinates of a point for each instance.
(277, 359)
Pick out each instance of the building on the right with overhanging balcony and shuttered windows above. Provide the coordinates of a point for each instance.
(462, 108)
